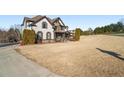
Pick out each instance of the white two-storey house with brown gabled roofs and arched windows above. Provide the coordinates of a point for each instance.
(46, 28)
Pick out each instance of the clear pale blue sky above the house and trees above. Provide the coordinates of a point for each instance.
(73, 21)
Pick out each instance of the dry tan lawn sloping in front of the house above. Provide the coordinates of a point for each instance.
(91, 56)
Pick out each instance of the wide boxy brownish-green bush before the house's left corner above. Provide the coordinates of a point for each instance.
(28, 37)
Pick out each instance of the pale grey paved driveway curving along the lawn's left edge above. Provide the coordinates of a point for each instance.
(12, 64)
